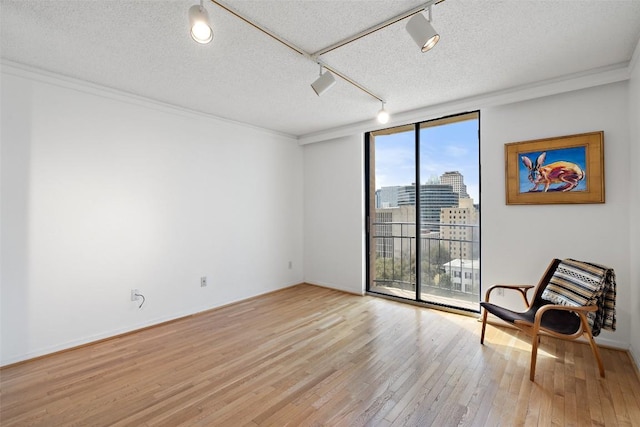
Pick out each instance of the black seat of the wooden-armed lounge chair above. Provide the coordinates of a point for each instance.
(560, 321)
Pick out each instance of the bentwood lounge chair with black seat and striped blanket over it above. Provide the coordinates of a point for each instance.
(572, 299)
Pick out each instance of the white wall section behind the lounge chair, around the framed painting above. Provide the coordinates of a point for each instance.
(519, 241)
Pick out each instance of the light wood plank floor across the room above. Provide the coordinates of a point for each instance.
(313, 356)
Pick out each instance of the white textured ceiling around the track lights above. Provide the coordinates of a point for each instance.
(143, 47)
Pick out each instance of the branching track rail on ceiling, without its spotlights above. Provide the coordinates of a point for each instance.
(315, 56)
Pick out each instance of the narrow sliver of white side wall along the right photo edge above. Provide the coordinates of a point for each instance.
(634, 223)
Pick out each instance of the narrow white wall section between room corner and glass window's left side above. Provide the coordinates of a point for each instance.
(334, 214)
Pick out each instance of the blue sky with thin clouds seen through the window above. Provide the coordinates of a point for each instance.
(445, 148)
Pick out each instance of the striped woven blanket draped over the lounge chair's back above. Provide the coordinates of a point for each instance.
(577, 283)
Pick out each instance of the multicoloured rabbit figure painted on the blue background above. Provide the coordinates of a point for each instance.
(561, 172)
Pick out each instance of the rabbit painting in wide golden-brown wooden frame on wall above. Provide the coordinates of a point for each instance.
(565, 169)
